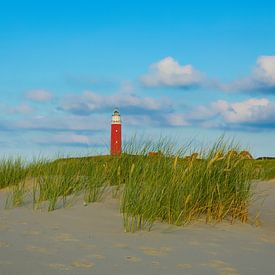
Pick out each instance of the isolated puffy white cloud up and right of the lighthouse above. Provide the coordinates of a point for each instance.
(168, 72)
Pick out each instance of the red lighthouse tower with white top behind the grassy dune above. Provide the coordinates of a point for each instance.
(116, 133)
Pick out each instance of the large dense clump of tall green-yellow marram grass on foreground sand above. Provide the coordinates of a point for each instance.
(178, 191)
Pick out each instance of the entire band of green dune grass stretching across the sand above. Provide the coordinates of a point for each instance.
(170, 185)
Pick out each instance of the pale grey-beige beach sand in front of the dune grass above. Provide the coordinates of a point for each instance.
(91, 240)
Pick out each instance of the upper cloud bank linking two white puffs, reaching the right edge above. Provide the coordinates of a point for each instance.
(169, 73)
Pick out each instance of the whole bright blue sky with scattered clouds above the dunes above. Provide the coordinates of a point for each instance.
(183, 69)
